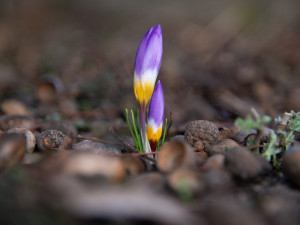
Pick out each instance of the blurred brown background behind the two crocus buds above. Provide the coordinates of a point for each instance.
(73, 59)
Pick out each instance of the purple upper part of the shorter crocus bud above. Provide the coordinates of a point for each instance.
(157, 105)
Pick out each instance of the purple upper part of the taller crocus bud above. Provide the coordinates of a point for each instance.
(149, 53)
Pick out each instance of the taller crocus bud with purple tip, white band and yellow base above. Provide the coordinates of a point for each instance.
(147, 65)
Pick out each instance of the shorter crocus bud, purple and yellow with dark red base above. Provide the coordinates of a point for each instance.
(155, 116)
